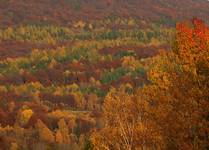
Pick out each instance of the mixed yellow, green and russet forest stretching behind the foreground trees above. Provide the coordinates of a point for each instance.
(54, 77)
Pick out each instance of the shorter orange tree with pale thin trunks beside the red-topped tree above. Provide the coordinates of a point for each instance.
(127, 125)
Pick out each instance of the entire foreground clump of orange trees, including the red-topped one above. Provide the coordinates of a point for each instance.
(170, 113)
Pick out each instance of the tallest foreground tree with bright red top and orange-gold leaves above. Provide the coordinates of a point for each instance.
(181, 88)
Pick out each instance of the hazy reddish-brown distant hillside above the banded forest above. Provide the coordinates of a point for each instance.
(64, 12)
